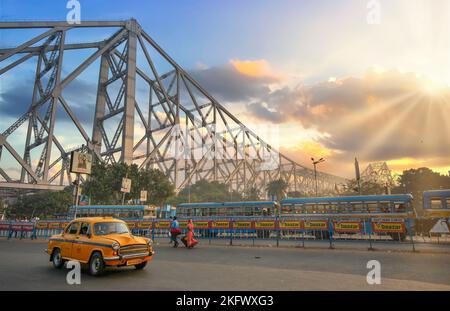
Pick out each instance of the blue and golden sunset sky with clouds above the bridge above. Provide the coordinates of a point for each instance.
(334, 85)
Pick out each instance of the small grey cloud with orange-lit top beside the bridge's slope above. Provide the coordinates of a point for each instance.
(237, 81)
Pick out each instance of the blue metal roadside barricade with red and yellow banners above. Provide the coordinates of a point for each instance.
(306, 230)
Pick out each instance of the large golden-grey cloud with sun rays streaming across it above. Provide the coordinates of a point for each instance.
(381, 116)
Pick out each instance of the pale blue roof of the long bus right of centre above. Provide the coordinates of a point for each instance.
(362, 198)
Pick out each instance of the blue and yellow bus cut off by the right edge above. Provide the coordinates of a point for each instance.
(436, 203)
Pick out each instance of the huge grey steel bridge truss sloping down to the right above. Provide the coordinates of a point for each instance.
(180, 128)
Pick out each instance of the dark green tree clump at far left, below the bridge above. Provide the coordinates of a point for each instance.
(41, 204)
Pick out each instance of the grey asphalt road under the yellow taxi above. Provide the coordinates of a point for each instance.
(24, 266)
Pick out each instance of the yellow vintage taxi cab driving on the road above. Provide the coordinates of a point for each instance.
(99, 242)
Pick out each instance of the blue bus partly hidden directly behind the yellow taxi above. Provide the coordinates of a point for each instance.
(117, 211)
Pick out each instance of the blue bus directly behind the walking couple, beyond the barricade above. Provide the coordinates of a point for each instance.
(227, 209)
